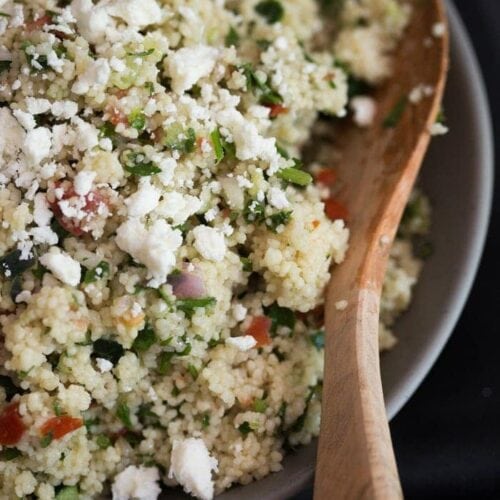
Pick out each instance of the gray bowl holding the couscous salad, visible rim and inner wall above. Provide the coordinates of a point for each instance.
(458, 177)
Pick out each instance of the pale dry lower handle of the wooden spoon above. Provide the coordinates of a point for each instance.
(357, 433)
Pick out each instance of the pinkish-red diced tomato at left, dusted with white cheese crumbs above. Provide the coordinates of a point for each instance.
(73, 225)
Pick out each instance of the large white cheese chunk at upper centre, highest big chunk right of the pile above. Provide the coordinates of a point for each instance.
(188, 65)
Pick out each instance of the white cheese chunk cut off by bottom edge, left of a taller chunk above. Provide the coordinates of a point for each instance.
(137, 483)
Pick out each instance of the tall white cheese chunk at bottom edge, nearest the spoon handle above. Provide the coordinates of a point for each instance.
(191, 465)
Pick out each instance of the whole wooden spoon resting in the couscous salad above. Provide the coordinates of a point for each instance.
(378, 168)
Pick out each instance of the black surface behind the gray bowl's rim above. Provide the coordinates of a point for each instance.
(447, 437)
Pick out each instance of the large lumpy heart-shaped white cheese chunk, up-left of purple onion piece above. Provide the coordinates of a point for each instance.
(155, 246)
